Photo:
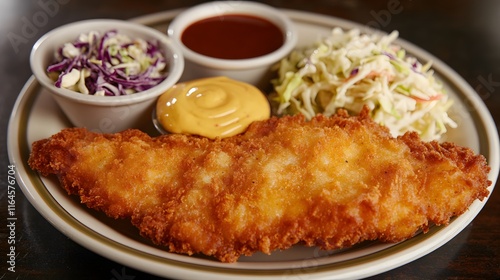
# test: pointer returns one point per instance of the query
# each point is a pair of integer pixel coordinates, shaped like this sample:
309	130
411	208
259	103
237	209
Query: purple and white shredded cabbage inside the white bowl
109	65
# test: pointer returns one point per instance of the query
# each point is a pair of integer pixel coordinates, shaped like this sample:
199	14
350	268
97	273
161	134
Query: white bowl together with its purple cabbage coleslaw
83	100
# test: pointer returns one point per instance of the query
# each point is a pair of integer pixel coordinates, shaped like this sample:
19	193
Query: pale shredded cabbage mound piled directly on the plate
349	70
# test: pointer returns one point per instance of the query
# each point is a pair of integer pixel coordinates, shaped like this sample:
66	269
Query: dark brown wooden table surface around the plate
463	34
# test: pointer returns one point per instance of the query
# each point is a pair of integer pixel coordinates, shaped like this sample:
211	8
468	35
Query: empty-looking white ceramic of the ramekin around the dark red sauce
253	70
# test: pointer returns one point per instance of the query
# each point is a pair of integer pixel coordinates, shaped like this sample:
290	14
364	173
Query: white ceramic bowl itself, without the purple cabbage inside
106	114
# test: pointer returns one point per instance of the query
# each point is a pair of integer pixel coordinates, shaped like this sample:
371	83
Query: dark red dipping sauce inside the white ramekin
233	36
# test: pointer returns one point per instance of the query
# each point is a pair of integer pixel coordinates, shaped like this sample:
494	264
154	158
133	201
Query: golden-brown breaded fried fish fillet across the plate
329	182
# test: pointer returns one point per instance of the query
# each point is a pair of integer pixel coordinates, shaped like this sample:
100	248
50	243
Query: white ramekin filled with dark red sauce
237	39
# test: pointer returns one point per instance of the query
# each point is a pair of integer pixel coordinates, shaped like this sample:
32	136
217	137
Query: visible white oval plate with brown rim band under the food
36	116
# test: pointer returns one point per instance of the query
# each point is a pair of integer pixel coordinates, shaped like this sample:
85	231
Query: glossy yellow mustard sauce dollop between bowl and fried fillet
211	107
